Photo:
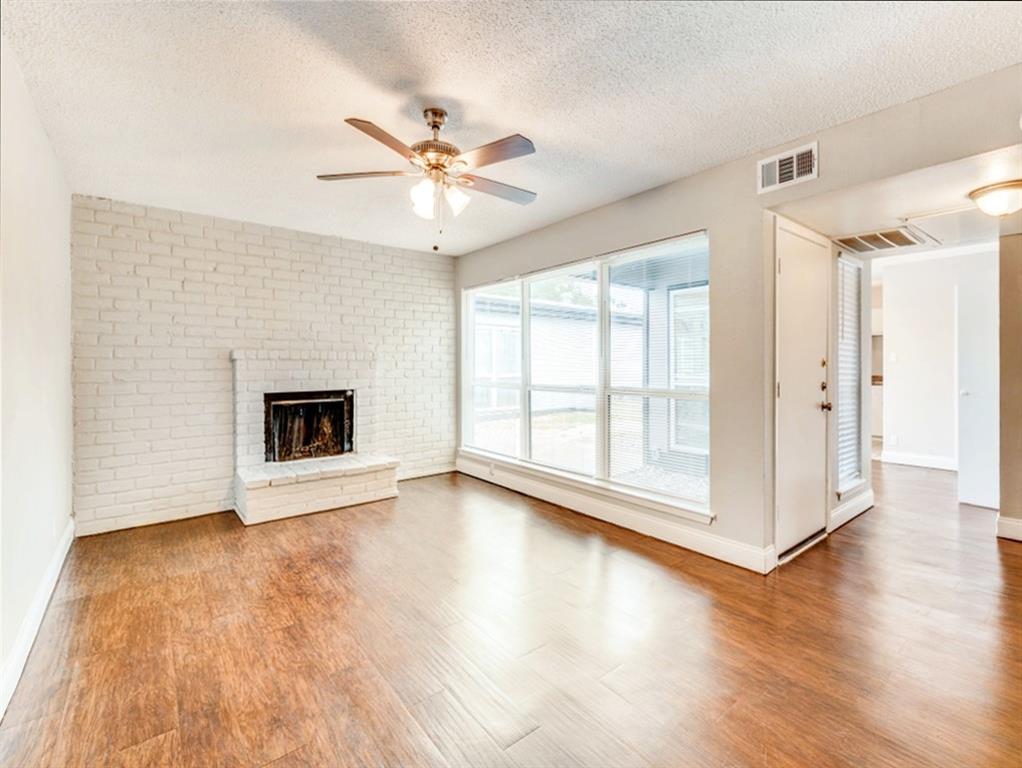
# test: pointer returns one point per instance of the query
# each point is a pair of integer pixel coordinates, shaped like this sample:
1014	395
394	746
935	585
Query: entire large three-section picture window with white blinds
600	370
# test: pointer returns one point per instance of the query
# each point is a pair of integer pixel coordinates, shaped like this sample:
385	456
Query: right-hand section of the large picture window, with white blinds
659	399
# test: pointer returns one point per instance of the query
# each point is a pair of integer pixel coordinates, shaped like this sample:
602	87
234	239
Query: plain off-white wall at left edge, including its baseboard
35	381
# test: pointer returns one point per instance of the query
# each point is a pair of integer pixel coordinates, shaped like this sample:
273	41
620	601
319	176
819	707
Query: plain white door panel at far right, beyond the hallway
979	382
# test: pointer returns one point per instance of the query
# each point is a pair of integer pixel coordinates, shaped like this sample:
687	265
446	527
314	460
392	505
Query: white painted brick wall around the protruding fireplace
162	297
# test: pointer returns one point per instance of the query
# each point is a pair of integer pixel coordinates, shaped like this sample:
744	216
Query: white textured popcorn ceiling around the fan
231	109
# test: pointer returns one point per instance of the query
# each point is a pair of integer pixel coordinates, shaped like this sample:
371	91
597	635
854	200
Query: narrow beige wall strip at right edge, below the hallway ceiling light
1011	375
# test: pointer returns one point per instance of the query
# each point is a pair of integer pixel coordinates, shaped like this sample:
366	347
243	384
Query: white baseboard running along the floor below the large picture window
631	516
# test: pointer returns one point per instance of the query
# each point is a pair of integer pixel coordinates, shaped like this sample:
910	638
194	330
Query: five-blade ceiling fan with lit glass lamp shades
444	168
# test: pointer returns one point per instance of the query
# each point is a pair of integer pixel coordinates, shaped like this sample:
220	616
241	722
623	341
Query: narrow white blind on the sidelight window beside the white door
850	403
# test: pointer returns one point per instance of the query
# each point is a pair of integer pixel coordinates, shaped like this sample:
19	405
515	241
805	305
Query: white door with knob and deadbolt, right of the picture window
803	296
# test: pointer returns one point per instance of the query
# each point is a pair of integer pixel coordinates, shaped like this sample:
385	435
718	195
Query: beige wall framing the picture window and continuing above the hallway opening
972	118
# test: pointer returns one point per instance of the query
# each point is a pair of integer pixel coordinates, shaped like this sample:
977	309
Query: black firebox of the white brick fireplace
309	425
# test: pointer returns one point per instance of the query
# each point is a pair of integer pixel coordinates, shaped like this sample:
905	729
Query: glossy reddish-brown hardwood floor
466	625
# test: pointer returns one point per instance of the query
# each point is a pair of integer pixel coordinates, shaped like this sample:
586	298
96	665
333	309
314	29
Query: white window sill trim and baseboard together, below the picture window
635	513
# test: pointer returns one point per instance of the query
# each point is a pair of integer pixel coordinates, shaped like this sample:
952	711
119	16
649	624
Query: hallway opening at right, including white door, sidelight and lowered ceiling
910	382
